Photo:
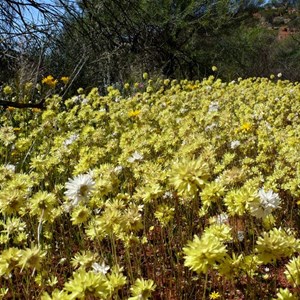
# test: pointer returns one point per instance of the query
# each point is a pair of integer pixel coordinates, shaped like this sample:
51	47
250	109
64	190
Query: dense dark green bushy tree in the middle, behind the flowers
120	39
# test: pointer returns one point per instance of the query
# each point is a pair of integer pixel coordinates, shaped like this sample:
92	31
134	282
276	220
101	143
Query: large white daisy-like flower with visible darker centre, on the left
79	188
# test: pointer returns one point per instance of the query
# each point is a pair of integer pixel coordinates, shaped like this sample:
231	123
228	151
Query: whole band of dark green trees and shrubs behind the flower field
99	42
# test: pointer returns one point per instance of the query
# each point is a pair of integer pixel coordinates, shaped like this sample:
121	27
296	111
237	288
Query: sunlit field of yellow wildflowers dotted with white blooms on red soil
163	189
